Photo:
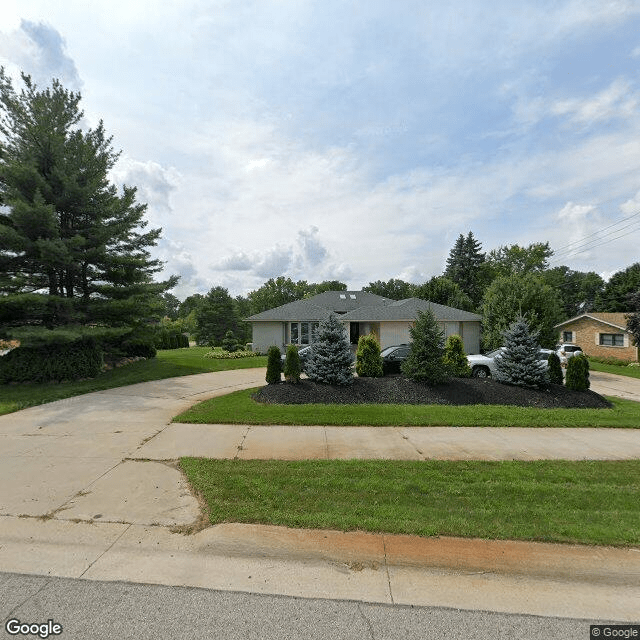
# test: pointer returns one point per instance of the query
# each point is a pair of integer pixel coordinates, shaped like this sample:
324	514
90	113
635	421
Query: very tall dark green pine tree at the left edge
64	228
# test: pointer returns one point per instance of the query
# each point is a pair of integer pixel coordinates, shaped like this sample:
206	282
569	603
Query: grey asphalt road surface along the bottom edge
104	610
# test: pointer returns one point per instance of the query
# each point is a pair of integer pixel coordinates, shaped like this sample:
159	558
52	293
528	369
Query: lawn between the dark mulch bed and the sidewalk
239	408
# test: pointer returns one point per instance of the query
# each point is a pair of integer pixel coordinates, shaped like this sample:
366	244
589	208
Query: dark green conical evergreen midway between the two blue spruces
425	363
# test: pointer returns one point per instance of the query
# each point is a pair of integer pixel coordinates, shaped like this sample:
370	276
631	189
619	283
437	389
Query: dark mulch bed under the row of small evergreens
459	391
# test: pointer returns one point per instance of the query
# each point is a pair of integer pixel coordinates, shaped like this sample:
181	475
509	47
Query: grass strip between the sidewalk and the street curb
591	502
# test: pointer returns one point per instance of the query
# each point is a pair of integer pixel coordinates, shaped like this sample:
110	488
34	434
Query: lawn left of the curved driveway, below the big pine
168	364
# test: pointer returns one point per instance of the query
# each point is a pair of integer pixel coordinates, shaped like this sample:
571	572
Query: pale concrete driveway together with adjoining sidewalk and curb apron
89	488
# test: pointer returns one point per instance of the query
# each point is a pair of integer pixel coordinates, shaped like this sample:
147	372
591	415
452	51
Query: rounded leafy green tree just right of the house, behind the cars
508	297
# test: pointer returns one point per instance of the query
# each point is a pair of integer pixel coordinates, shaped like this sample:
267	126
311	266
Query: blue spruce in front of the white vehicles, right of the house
519	364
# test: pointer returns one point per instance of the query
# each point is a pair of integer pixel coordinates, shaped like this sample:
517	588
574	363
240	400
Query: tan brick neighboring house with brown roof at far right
602	335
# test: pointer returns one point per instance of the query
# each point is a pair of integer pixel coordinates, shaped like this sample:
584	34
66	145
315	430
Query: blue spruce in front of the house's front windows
330	360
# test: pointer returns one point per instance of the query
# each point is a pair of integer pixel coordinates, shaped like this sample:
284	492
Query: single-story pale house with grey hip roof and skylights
362	313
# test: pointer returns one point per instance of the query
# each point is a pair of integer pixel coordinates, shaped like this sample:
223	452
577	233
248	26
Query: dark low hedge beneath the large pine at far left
60	359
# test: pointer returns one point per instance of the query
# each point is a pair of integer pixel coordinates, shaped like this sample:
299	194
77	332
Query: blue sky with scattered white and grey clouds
355	140
